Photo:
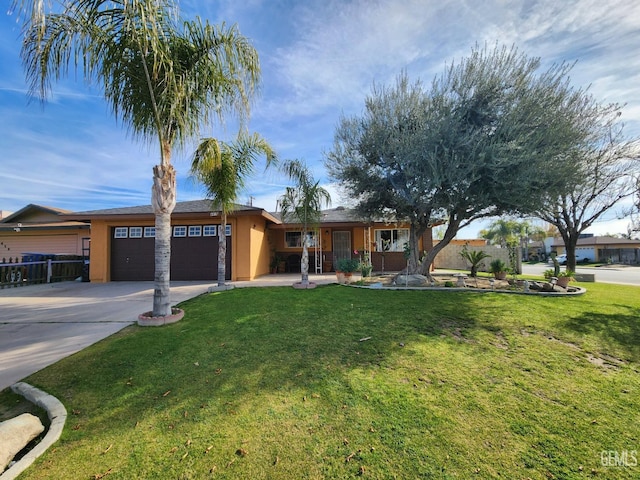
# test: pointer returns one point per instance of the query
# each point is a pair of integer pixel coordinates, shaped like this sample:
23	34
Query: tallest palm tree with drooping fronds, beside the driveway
163	79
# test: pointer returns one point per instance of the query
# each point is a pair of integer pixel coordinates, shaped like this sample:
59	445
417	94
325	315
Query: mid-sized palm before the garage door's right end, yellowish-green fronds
222	168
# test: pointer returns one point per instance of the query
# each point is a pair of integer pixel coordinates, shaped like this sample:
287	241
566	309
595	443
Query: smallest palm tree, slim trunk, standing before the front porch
303	204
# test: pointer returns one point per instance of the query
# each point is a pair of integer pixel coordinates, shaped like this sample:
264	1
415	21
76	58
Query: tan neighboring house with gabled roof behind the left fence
39	229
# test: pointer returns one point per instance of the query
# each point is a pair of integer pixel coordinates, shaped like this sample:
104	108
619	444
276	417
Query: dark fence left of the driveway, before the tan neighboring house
16	272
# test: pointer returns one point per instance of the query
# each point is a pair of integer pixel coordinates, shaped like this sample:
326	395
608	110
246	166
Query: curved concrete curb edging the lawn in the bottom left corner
57	415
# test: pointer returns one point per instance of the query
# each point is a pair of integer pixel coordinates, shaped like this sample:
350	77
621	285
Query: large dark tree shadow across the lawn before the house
235	345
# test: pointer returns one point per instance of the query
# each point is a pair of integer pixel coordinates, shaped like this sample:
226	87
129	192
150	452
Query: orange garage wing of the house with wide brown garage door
122	242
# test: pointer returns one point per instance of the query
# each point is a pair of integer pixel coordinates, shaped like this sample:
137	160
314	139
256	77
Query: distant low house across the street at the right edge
603	249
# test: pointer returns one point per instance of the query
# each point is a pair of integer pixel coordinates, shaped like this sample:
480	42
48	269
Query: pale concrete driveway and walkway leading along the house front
41	324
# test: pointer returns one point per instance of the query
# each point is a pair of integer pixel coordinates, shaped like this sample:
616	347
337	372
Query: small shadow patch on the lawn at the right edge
620	332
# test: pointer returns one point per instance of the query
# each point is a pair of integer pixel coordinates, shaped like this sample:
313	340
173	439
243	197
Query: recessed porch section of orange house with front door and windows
340	234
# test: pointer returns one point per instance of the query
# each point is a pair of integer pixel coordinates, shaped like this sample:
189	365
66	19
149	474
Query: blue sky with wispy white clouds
319	60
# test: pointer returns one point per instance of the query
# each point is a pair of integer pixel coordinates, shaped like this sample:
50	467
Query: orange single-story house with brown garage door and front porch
122	242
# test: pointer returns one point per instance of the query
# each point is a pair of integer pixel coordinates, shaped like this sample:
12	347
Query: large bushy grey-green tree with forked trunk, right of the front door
489	136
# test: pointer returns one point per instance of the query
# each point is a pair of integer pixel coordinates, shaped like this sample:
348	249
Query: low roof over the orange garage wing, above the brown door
182	209
